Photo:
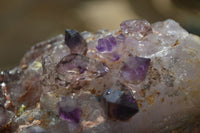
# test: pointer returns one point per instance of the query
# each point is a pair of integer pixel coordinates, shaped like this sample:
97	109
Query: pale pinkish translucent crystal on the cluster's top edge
138	28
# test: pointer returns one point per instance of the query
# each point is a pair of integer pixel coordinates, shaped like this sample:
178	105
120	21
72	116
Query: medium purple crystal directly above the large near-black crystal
135	70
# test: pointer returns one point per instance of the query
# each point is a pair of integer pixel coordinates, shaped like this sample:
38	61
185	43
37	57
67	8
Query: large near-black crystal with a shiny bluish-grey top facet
120	105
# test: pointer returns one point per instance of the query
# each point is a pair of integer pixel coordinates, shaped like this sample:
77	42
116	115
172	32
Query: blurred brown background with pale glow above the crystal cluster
26	22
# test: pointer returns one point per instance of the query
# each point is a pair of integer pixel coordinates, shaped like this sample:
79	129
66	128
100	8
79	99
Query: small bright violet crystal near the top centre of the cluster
106	44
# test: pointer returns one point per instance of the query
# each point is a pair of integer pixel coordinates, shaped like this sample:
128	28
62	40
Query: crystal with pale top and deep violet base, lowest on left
69	111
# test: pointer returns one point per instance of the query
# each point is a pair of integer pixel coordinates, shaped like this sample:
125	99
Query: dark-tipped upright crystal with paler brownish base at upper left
75	42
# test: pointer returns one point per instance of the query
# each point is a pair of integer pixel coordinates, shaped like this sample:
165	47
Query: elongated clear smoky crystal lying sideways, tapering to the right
76	67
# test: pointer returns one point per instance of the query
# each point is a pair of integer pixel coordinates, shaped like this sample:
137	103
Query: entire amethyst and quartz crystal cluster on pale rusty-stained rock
142	78
